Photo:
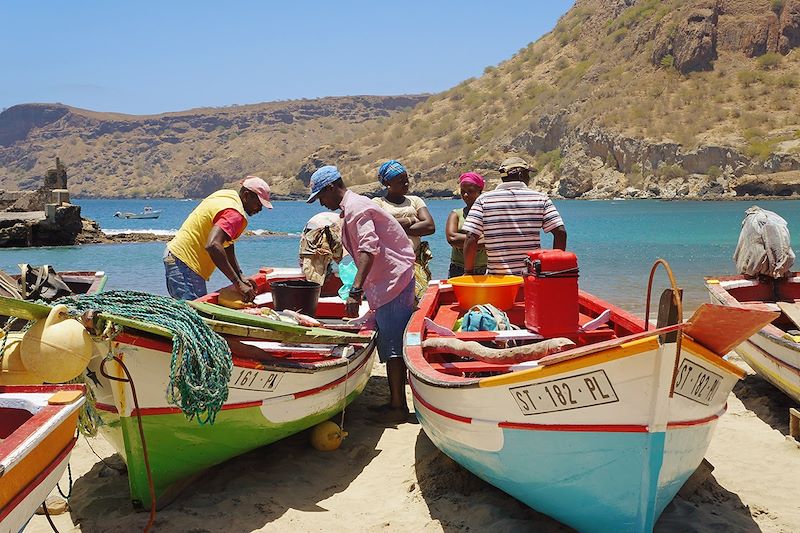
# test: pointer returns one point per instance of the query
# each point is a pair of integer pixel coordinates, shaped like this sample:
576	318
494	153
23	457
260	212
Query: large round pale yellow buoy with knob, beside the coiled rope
58	348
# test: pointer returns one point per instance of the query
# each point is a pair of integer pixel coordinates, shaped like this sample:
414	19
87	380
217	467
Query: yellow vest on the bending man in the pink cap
189	244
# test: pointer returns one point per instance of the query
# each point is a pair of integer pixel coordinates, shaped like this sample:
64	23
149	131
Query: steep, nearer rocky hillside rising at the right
624	98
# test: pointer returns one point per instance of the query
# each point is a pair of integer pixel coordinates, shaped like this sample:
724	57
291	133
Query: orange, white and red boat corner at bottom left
37	435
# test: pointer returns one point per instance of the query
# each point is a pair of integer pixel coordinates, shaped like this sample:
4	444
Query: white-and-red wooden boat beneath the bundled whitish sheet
774	351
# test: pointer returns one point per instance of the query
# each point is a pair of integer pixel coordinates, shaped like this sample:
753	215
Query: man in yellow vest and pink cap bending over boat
205	241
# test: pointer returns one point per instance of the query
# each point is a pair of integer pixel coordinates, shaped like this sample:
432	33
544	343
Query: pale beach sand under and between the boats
394	479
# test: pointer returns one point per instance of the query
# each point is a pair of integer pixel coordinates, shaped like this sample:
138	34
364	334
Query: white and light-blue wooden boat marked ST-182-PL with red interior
600	436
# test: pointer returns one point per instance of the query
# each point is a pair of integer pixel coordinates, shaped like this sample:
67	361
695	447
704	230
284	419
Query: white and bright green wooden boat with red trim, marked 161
285	378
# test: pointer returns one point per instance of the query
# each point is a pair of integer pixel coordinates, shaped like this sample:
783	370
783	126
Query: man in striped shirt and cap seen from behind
510	219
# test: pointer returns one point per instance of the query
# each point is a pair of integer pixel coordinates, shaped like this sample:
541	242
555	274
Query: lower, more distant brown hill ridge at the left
184	154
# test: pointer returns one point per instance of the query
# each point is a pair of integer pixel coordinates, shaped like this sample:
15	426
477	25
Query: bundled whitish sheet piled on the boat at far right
764	245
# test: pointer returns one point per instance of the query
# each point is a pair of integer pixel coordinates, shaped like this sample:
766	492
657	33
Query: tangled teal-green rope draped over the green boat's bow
201	362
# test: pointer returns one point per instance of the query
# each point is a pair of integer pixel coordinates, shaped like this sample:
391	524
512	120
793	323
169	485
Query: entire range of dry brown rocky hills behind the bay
623	98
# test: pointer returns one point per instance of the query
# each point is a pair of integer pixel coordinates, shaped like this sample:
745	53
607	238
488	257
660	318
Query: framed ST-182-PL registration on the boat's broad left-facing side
573	392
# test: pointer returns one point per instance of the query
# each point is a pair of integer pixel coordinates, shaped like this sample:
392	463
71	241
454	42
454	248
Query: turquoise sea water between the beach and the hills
616	243
